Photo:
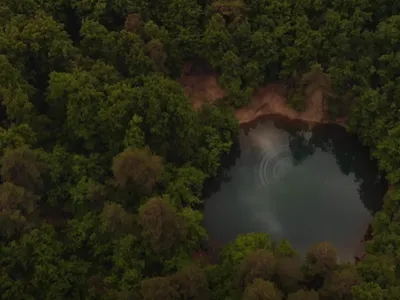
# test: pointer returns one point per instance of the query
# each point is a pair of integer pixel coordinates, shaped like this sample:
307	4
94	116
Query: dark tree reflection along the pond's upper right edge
351	156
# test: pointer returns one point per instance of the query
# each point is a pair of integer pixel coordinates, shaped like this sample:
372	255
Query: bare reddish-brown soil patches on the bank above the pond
204	88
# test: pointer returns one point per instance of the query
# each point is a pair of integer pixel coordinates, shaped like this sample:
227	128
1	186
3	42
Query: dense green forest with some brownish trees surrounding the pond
104	160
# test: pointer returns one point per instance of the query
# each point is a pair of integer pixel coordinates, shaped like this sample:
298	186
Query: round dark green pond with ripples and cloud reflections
296	184
